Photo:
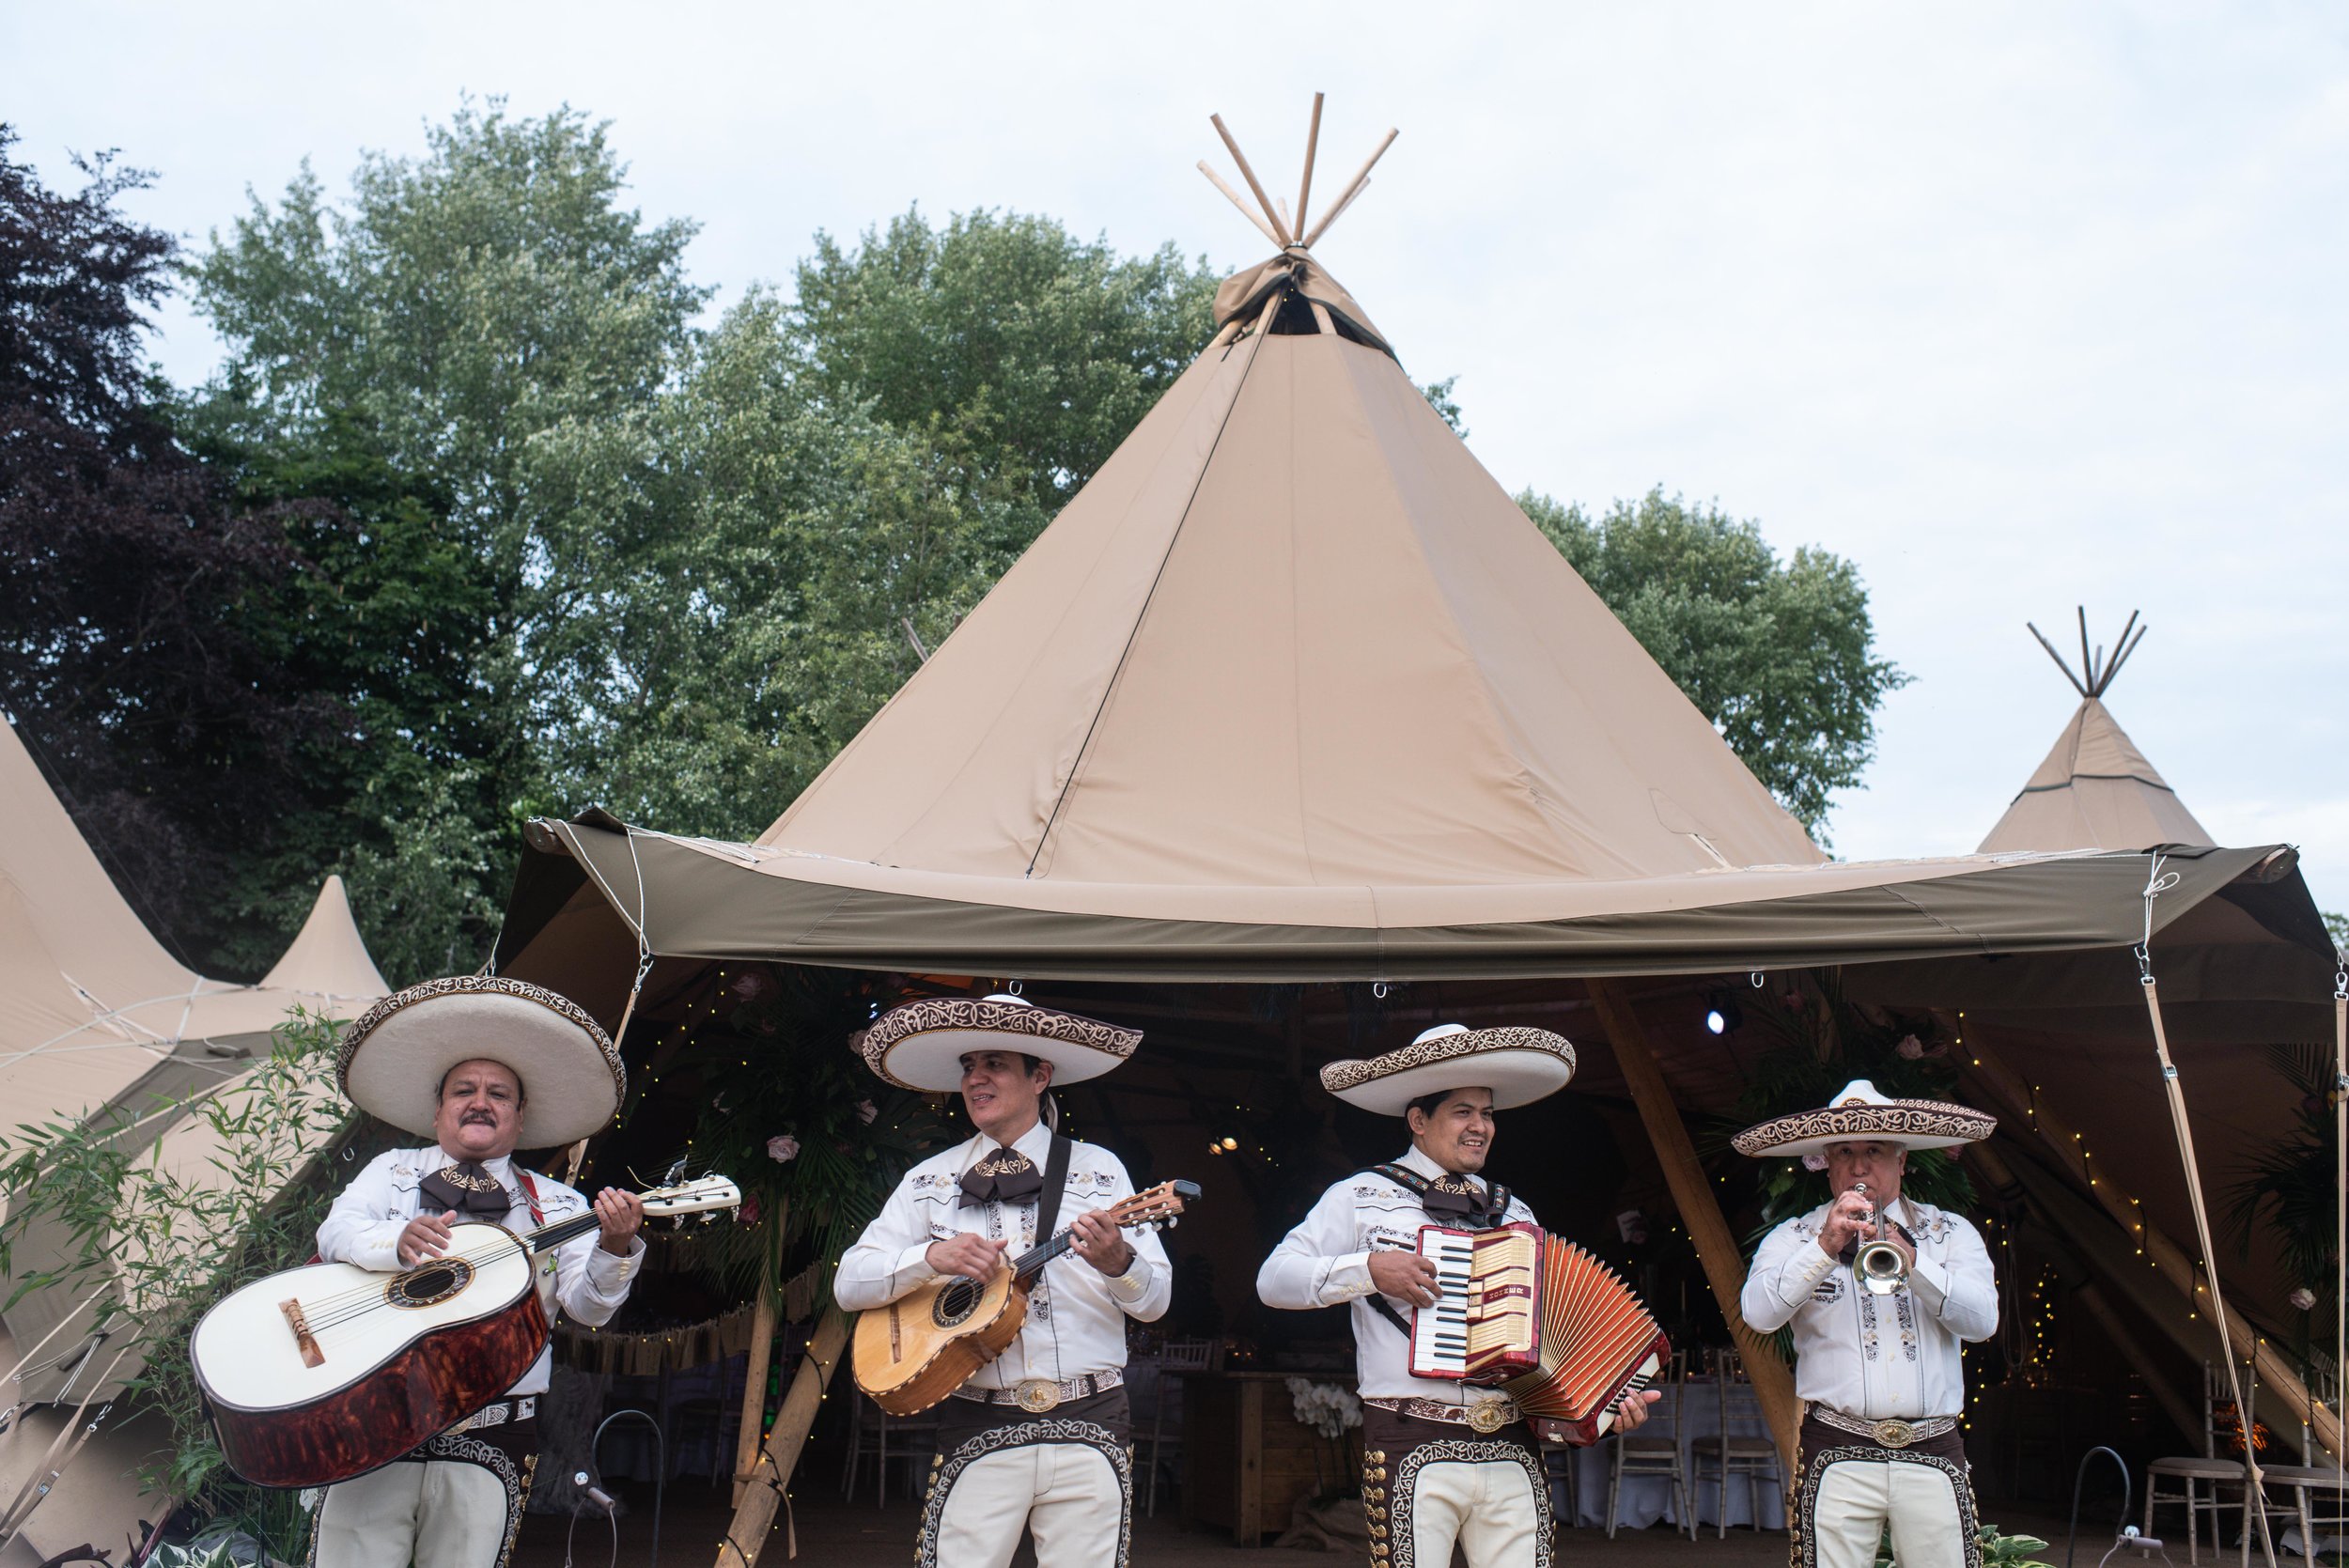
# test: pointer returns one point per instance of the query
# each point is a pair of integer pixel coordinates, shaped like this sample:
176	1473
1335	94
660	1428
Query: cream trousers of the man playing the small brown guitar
1070	1496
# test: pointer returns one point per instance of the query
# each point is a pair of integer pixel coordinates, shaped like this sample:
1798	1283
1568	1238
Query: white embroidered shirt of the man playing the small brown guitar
1077	1313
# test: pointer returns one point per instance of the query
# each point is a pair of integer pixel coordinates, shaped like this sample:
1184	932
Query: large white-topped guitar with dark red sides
328	1372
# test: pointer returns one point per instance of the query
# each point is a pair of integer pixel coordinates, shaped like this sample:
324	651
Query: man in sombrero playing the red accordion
1443	1461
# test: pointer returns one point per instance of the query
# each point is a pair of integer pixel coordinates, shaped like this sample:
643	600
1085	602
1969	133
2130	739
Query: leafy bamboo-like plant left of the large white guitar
159	1212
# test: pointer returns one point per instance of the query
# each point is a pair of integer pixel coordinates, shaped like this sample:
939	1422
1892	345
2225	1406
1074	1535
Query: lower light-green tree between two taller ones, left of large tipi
743	576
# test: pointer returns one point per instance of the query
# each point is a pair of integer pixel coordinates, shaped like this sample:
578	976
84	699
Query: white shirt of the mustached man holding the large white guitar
368	1219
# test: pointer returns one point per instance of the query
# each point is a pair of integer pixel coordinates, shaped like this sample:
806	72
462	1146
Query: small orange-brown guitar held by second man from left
927	1344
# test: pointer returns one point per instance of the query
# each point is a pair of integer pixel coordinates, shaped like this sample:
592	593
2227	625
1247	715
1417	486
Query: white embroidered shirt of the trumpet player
1878	1356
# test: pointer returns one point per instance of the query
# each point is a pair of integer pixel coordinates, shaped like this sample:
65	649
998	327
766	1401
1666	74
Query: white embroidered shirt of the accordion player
1326	1262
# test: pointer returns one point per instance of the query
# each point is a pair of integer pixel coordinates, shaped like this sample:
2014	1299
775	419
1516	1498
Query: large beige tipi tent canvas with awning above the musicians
1293	691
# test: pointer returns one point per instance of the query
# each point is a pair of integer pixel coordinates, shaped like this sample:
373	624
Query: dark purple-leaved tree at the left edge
126	579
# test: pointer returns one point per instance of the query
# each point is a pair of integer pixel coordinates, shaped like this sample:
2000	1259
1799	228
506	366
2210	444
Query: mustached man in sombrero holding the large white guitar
476	1065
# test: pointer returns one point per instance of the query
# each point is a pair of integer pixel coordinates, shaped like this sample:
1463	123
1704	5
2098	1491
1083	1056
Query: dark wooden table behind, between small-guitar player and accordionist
1246	1461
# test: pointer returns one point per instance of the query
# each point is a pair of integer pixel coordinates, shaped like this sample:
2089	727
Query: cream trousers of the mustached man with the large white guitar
438	1515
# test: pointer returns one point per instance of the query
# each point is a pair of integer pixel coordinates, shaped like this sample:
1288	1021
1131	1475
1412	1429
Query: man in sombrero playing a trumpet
1876	1365
